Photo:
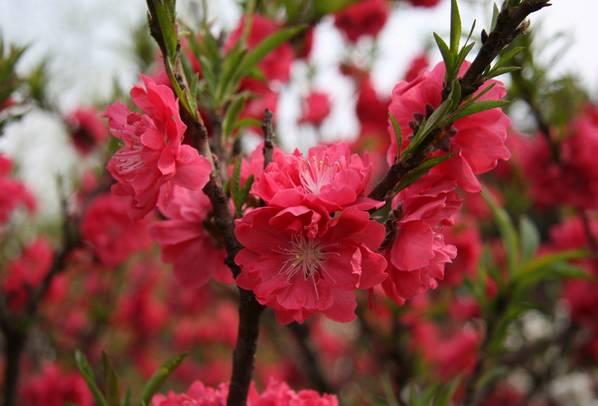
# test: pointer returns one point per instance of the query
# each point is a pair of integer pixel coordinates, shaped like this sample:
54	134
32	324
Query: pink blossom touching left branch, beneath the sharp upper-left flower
183	238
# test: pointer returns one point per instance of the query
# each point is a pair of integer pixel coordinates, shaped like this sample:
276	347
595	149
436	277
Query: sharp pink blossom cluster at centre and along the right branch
297	260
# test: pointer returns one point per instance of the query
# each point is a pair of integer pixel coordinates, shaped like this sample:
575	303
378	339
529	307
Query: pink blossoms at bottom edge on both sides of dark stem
276	393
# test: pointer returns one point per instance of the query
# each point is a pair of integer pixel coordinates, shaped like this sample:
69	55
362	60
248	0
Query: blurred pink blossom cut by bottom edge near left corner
55	387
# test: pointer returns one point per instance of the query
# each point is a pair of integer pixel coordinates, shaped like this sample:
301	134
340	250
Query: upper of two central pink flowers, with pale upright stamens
330	177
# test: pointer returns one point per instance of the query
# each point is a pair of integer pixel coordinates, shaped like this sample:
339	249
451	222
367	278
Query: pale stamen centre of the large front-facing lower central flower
303	255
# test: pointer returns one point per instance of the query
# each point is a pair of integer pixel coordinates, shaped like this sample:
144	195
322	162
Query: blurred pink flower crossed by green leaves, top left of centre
277	65
